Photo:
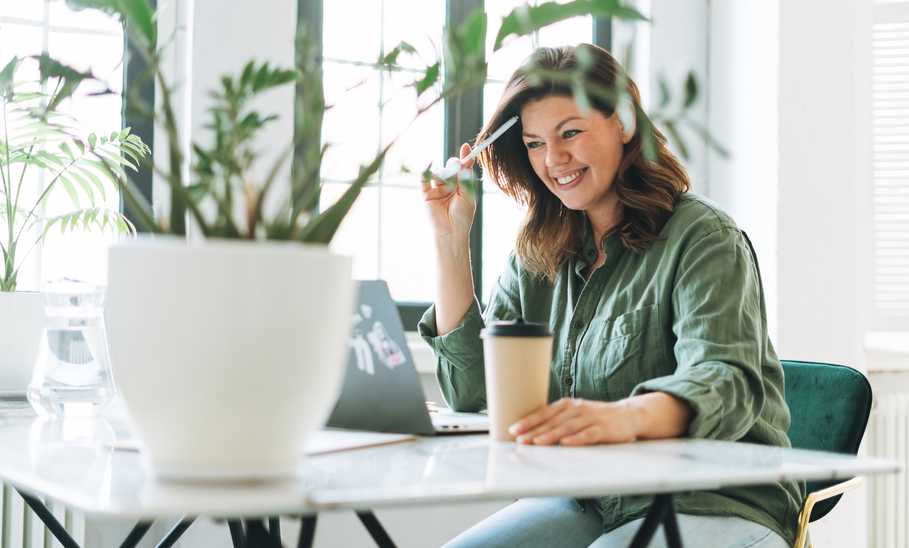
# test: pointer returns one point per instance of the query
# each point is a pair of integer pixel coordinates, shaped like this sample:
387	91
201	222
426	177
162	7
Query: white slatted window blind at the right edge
890	165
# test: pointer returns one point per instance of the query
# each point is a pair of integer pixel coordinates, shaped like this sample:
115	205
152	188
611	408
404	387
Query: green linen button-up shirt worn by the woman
684	317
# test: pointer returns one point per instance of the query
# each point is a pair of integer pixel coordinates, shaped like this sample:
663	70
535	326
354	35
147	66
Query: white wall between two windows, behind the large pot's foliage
207	39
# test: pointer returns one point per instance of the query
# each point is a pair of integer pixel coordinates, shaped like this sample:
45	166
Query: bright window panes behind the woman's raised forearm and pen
388	233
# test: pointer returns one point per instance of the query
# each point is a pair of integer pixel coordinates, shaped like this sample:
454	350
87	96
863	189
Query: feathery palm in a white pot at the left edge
36	138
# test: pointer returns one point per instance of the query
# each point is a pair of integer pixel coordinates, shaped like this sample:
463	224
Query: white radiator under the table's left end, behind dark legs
21	528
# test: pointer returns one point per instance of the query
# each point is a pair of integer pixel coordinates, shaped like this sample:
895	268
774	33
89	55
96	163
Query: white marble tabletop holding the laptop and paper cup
74	462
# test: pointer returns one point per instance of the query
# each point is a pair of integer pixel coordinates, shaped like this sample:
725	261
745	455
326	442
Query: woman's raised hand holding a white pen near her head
451	208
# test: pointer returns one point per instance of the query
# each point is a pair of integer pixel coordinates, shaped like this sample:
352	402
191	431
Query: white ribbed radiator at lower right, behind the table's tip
888	505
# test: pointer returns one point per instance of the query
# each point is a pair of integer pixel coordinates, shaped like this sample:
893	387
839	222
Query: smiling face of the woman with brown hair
575	155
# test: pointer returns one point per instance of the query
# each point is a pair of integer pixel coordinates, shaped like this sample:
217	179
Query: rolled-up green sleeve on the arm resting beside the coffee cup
719	328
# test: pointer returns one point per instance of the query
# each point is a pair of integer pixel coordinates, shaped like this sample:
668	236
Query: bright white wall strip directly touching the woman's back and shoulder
742	115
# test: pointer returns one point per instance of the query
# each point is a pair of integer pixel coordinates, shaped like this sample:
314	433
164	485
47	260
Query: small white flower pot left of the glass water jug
21	322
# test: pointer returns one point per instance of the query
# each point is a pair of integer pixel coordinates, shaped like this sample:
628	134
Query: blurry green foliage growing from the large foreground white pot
224	199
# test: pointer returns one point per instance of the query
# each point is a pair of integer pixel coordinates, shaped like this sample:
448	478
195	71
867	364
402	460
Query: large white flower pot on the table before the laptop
228	354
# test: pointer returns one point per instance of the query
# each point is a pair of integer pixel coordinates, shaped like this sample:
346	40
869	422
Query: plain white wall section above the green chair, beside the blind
823	194
